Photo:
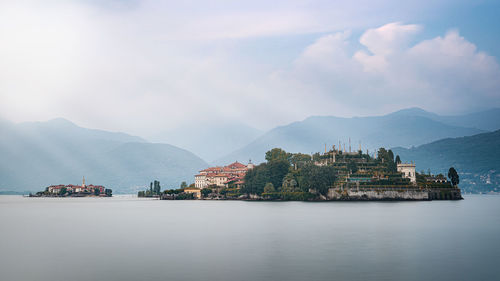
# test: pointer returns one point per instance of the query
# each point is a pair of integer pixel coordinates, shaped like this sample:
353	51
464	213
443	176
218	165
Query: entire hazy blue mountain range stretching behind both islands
37	154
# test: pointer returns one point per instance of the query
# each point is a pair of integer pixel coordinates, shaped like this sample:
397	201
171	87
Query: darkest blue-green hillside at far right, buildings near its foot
476	158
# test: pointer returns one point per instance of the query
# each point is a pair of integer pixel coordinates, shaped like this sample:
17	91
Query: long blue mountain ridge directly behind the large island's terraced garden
404	128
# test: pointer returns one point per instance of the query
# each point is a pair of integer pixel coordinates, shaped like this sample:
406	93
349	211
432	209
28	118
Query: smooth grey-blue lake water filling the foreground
126	238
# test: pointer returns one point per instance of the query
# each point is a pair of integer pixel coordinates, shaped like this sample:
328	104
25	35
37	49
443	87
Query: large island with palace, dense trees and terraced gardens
338	174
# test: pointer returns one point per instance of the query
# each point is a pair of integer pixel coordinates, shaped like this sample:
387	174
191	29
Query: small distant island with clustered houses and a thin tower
71	190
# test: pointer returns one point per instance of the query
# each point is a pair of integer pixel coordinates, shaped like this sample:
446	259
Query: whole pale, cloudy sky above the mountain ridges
146	66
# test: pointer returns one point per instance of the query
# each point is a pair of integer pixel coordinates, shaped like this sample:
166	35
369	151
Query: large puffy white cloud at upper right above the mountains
445	74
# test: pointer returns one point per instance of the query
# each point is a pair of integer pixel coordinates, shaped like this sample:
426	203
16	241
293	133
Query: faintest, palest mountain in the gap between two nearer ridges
210	139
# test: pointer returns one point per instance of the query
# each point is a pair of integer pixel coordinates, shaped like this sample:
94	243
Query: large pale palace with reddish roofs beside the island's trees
222	176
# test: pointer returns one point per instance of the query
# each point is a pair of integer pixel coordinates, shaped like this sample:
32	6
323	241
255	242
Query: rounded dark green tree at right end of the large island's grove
315	177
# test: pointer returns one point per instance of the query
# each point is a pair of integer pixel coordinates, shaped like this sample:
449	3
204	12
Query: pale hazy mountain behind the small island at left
37	154
